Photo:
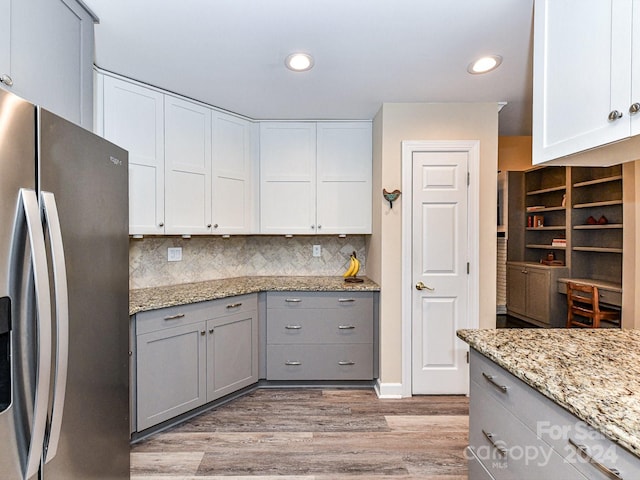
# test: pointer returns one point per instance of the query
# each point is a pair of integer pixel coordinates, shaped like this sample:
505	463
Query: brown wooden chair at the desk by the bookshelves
583	307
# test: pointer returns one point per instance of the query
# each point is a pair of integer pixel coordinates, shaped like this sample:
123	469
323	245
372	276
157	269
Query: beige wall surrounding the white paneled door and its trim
394	123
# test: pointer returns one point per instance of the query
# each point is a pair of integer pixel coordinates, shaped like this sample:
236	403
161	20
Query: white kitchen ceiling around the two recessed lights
230	53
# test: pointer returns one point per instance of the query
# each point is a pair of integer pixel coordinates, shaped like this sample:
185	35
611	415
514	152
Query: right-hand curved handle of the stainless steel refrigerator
62	321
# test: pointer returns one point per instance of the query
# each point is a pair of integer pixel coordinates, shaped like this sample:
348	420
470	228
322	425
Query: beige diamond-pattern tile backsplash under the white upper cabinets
210	258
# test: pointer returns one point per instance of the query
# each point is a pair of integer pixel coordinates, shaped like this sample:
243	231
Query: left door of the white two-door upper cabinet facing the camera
288	178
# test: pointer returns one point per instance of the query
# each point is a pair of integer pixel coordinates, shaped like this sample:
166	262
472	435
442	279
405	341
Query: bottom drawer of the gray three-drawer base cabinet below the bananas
320	362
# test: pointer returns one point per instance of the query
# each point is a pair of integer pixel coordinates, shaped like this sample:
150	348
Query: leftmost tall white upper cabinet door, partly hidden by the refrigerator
134	119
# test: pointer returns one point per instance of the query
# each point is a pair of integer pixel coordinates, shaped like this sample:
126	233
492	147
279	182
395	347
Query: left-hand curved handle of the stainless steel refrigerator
29	205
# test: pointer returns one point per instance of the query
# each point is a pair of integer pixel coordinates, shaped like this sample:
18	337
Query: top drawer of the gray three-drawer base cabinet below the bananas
302	300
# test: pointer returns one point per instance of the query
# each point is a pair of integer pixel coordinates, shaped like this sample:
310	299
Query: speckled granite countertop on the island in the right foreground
594	374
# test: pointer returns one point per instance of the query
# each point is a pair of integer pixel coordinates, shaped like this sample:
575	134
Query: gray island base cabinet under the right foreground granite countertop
517	433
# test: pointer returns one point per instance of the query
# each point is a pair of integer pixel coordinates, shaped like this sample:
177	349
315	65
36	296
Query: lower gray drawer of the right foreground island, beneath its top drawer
507	448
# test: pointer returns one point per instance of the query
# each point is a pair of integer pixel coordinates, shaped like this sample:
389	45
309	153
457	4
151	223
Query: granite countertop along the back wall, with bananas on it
143	299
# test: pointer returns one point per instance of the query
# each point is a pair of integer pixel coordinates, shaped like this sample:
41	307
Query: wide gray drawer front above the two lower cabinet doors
171	317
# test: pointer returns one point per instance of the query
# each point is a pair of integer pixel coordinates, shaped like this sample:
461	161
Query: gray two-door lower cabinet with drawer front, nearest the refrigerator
192	354
